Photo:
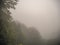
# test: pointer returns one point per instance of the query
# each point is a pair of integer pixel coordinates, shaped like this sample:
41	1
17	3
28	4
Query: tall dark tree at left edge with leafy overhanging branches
5	19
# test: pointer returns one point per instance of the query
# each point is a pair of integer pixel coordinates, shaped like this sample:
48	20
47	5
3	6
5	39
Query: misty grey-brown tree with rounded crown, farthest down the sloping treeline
35	37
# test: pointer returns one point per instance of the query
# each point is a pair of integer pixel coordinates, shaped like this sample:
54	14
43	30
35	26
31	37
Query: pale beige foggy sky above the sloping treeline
41	14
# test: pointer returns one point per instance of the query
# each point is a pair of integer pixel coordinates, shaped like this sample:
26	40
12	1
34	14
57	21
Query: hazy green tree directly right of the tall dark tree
16	33
